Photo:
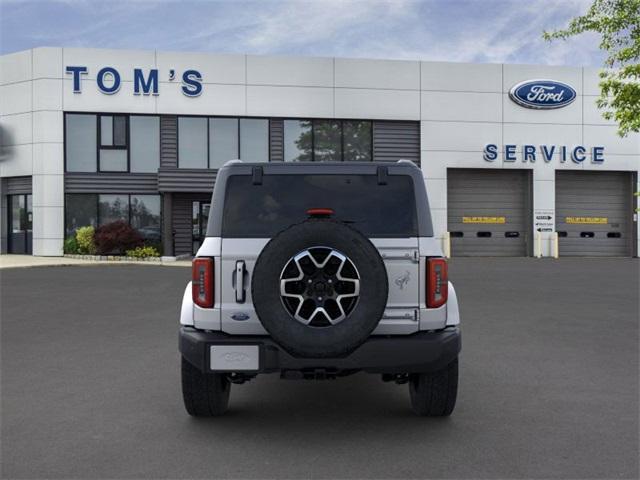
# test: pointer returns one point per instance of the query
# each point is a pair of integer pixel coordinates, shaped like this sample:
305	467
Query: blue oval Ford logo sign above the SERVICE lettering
542	94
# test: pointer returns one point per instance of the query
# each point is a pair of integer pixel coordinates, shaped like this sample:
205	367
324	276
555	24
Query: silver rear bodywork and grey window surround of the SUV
405	260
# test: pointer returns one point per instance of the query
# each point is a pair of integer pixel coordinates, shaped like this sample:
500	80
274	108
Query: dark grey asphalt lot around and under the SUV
549	385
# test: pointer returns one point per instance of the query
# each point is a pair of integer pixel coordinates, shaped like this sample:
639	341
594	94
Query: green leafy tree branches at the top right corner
618	23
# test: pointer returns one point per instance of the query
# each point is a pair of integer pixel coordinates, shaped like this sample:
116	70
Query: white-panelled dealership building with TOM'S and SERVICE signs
517	159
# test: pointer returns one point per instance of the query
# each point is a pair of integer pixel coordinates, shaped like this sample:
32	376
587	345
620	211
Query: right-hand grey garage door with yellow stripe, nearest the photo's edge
594	213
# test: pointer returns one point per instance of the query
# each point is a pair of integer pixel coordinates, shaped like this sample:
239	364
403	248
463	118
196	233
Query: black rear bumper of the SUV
420	352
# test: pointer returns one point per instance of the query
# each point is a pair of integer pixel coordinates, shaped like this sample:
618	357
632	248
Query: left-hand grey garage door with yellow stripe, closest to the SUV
488	212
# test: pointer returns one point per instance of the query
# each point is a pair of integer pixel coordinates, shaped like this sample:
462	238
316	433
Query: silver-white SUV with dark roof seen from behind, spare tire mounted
319	270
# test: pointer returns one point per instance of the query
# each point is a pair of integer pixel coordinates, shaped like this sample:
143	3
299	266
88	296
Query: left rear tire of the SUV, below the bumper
204	394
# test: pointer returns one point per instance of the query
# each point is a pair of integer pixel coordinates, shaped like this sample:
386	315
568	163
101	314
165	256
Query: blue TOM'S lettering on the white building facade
108	80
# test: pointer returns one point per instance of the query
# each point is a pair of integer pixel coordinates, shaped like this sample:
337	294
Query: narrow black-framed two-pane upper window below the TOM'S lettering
113	143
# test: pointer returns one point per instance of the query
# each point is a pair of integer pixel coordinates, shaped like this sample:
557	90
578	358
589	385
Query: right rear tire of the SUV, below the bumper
434	394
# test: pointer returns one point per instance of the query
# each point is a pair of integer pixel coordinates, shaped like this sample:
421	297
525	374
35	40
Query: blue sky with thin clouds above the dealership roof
486	31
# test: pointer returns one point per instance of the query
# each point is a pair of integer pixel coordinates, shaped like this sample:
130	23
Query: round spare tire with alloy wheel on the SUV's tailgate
319	288
